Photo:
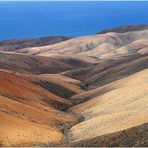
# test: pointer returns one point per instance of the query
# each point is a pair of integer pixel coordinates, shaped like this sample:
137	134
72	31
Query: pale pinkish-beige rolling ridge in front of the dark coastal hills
102	45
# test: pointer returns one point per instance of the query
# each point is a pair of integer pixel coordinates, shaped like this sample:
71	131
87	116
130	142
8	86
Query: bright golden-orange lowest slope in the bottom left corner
18	132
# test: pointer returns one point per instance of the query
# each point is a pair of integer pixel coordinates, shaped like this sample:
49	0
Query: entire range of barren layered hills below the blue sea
84	91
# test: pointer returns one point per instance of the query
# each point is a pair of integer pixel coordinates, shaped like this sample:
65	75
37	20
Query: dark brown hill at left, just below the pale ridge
41	65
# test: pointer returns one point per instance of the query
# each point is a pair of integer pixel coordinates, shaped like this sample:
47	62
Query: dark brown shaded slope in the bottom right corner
131	137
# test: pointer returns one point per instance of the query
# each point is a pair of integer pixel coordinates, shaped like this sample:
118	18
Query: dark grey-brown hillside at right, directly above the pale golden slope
109	70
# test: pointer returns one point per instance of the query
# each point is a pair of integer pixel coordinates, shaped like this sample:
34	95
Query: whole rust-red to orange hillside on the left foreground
30	114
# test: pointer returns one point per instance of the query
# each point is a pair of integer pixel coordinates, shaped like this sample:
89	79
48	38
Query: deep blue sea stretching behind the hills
38	19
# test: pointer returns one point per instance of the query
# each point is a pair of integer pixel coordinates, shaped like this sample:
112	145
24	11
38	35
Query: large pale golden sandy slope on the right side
123	107
